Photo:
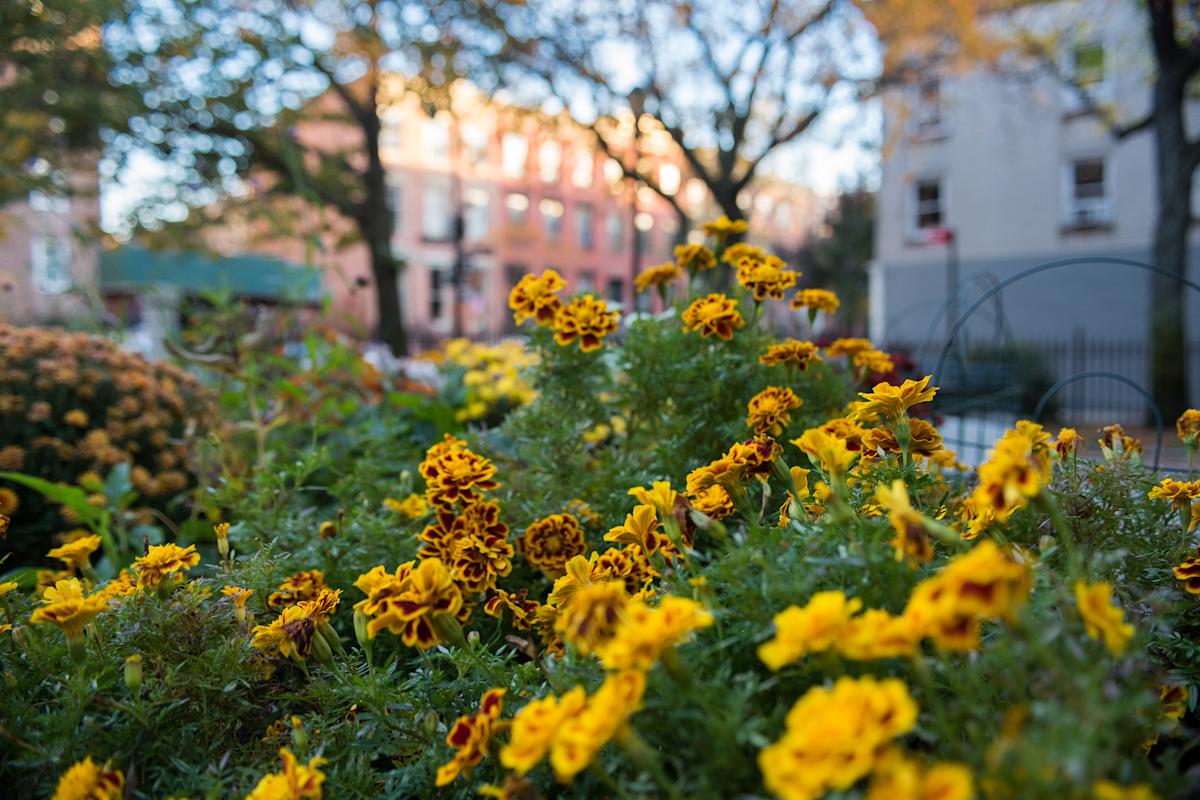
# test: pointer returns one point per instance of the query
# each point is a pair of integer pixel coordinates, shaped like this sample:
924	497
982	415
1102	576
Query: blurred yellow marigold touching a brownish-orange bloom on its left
645	634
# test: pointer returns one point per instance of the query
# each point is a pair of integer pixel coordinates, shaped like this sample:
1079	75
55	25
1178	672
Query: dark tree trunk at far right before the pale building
1169	364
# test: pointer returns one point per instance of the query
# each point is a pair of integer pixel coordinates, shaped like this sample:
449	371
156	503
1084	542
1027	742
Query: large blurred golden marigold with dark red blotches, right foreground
985	584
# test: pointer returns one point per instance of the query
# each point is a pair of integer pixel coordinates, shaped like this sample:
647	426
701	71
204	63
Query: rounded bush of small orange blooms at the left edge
75	407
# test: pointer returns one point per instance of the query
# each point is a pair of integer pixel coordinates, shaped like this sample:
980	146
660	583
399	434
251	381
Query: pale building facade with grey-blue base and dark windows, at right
986	177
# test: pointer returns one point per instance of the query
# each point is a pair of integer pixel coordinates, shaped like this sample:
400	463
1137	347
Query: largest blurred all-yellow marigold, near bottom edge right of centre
836	736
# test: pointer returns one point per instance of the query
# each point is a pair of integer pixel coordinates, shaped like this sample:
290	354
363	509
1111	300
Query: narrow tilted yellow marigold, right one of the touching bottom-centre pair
607	713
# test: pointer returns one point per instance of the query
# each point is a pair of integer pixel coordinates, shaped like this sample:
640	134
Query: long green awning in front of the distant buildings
134	269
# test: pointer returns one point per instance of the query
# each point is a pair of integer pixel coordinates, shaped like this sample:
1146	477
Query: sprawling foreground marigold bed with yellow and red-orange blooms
723	566
